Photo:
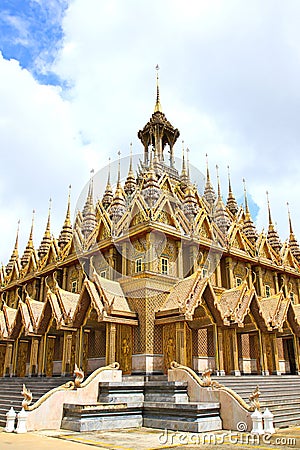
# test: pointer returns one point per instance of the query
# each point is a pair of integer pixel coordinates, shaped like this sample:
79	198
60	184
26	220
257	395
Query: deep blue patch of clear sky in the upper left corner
31	32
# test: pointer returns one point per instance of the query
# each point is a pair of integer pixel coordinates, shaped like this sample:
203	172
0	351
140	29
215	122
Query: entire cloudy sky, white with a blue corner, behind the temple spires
77	81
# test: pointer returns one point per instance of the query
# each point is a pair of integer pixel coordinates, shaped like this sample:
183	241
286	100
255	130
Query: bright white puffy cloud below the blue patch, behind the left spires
40	154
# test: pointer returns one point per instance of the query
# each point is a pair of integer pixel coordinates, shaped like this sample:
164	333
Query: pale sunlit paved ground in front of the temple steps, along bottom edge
147	439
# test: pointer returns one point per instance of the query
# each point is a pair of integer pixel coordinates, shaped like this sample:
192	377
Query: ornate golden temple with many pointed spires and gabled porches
154	271
